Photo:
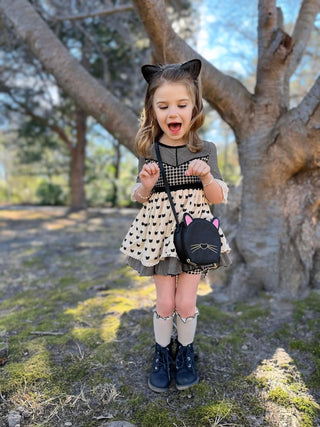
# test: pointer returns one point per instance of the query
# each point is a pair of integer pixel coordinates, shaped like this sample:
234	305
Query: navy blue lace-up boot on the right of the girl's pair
185	370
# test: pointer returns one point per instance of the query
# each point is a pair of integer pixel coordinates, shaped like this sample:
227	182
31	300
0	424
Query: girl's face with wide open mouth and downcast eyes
173	107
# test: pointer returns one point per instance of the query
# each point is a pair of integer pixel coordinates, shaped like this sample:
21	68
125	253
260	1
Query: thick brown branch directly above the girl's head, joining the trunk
224	93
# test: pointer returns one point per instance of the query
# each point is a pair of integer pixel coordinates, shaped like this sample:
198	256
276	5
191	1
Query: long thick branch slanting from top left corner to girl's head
84	89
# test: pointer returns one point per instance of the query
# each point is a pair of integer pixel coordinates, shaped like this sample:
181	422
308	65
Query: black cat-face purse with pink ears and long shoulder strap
197	240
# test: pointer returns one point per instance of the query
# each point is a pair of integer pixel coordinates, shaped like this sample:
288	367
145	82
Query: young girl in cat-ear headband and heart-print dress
173	112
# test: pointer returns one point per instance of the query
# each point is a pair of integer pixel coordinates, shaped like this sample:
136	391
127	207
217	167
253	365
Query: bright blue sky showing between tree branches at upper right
228	39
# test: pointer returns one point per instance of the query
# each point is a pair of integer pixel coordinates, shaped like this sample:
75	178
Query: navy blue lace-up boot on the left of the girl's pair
159	379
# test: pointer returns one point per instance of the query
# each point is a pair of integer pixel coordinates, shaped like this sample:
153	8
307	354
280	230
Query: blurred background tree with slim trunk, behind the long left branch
94	37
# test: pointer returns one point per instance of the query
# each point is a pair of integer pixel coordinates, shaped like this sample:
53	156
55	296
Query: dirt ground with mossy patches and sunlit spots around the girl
76	336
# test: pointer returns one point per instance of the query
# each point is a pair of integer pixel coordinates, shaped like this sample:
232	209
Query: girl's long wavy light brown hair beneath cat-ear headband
149	130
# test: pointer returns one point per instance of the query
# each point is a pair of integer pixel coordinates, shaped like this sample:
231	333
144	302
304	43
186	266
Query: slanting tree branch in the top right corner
304	26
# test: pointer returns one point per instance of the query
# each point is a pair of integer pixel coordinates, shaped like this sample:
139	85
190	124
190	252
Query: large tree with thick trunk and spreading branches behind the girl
277	239
